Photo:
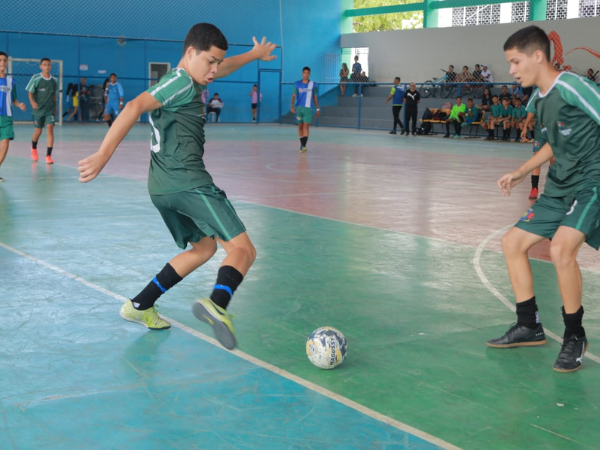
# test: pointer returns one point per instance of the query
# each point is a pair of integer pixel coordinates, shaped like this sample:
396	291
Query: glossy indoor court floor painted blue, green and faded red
393	240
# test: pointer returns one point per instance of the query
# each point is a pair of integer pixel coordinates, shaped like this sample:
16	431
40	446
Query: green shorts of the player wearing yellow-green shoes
197	213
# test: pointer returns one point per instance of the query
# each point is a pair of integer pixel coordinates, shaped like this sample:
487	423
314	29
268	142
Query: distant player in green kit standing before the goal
42	89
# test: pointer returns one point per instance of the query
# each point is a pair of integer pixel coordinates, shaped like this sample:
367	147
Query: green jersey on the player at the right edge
569	115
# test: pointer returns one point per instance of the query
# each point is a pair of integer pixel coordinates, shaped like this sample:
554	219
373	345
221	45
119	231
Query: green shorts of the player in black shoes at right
580	211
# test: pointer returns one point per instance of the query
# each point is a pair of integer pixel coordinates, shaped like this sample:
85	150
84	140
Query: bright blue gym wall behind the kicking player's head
310	31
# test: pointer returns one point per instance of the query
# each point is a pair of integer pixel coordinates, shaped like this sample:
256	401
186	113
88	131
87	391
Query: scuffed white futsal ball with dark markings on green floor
326	347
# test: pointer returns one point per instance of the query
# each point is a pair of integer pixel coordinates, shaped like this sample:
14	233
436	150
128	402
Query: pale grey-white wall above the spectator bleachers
418	55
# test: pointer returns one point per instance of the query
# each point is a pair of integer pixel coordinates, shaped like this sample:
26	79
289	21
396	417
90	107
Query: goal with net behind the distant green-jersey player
22	69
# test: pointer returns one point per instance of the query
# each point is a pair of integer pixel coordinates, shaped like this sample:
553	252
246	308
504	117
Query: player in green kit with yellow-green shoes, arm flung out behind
193	208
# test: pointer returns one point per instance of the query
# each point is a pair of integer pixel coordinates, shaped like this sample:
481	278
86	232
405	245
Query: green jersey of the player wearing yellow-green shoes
177	141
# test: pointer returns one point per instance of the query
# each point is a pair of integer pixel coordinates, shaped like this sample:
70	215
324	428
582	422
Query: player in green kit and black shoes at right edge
568	212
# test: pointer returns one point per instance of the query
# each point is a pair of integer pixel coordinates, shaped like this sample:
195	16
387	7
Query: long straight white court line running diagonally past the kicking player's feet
307	384
